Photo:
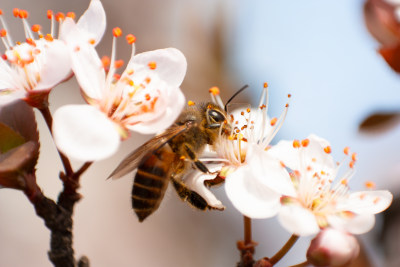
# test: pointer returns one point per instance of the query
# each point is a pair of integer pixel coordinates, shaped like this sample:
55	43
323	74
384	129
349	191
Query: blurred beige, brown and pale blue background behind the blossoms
319	51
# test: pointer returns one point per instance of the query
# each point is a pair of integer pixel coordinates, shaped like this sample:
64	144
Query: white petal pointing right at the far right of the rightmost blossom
370	202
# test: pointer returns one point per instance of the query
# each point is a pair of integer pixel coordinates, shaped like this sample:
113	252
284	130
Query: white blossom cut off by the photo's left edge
30	69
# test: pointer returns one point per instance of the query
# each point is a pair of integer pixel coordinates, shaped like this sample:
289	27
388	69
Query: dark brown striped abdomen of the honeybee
151	181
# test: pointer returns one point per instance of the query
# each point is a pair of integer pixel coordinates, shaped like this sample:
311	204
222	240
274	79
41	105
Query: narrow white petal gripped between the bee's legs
194	180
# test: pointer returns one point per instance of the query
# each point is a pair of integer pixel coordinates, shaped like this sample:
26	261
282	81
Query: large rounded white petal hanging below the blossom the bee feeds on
249	196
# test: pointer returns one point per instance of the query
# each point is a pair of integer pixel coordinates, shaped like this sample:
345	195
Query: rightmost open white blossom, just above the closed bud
318	202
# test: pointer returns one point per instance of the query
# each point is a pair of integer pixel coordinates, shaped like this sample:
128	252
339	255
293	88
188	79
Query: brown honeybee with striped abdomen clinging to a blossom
170	155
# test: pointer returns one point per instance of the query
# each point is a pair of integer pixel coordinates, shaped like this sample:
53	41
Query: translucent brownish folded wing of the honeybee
132	161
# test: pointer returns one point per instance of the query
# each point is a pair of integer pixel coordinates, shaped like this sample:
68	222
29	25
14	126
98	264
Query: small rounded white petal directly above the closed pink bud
298	220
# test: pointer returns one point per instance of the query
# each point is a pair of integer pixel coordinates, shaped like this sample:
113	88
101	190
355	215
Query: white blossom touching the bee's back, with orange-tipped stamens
146	97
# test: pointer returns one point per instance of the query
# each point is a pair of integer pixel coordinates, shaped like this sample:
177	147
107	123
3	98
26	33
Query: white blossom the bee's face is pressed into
250	164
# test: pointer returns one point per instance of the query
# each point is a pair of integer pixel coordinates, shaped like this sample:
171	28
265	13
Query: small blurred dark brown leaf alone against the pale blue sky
380	122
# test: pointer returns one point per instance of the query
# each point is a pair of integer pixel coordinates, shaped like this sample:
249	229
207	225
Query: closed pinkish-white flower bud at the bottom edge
333	248
